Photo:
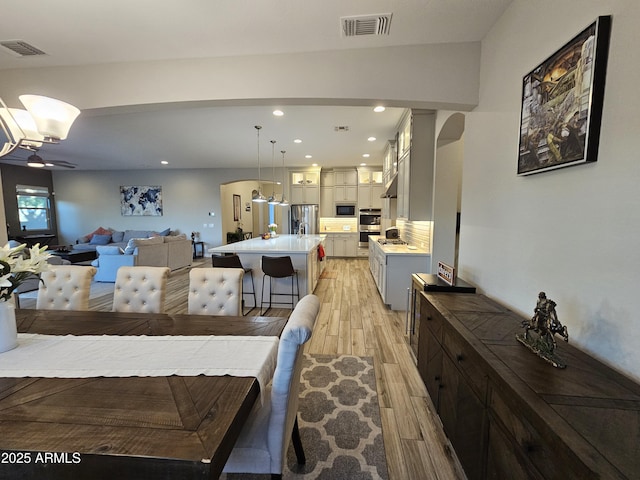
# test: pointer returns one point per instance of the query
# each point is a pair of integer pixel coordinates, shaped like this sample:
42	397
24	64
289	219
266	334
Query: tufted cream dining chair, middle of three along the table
140	289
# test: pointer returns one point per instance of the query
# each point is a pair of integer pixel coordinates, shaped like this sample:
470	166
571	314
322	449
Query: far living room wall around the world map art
86	200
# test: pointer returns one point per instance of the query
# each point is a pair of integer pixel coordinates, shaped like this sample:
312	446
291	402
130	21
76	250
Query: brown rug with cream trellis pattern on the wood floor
339	420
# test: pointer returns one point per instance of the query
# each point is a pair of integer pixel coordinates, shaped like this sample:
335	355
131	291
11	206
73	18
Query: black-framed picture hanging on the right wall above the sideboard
562	100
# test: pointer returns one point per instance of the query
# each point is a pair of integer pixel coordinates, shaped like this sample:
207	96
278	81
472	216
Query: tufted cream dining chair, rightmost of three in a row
215	291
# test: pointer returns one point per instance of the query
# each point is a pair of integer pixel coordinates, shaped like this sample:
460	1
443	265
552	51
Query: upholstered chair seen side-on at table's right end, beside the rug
263	441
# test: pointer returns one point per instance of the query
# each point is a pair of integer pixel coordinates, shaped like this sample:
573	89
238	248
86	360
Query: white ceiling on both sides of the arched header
77	32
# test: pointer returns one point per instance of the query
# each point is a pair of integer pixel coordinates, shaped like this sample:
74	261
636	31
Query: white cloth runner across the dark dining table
69	356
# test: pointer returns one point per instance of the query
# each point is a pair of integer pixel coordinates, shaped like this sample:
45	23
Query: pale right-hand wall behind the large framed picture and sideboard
573	233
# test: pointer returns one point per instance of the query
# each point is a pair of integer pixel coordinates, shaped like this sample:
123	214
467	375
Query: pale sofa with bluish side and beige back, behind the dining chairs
170	251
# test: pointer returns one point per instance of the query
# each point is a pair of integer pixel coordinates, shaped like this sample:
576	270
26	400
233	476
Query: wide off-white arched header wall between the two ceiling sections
422	76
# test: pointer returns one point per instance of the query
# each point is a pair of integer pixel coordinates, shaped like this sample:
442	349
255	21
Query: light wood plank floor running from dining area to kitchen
353	320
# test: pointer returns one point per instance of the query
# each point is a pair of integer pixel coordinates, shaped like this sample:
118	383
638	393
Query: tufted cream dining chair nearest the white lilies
65	287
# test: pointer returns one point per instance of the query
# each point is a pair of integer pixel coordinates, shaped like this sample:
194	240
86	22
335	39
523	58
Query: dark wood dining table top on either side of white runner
169	427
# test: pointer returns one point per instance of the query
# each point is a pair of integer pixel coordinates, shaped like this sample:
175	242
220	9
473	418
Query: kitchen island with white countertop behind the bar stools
303	251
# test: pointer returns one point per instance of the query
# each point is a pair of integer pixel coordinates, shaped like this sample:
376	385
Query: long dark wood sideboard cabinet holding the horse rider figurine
508	413
